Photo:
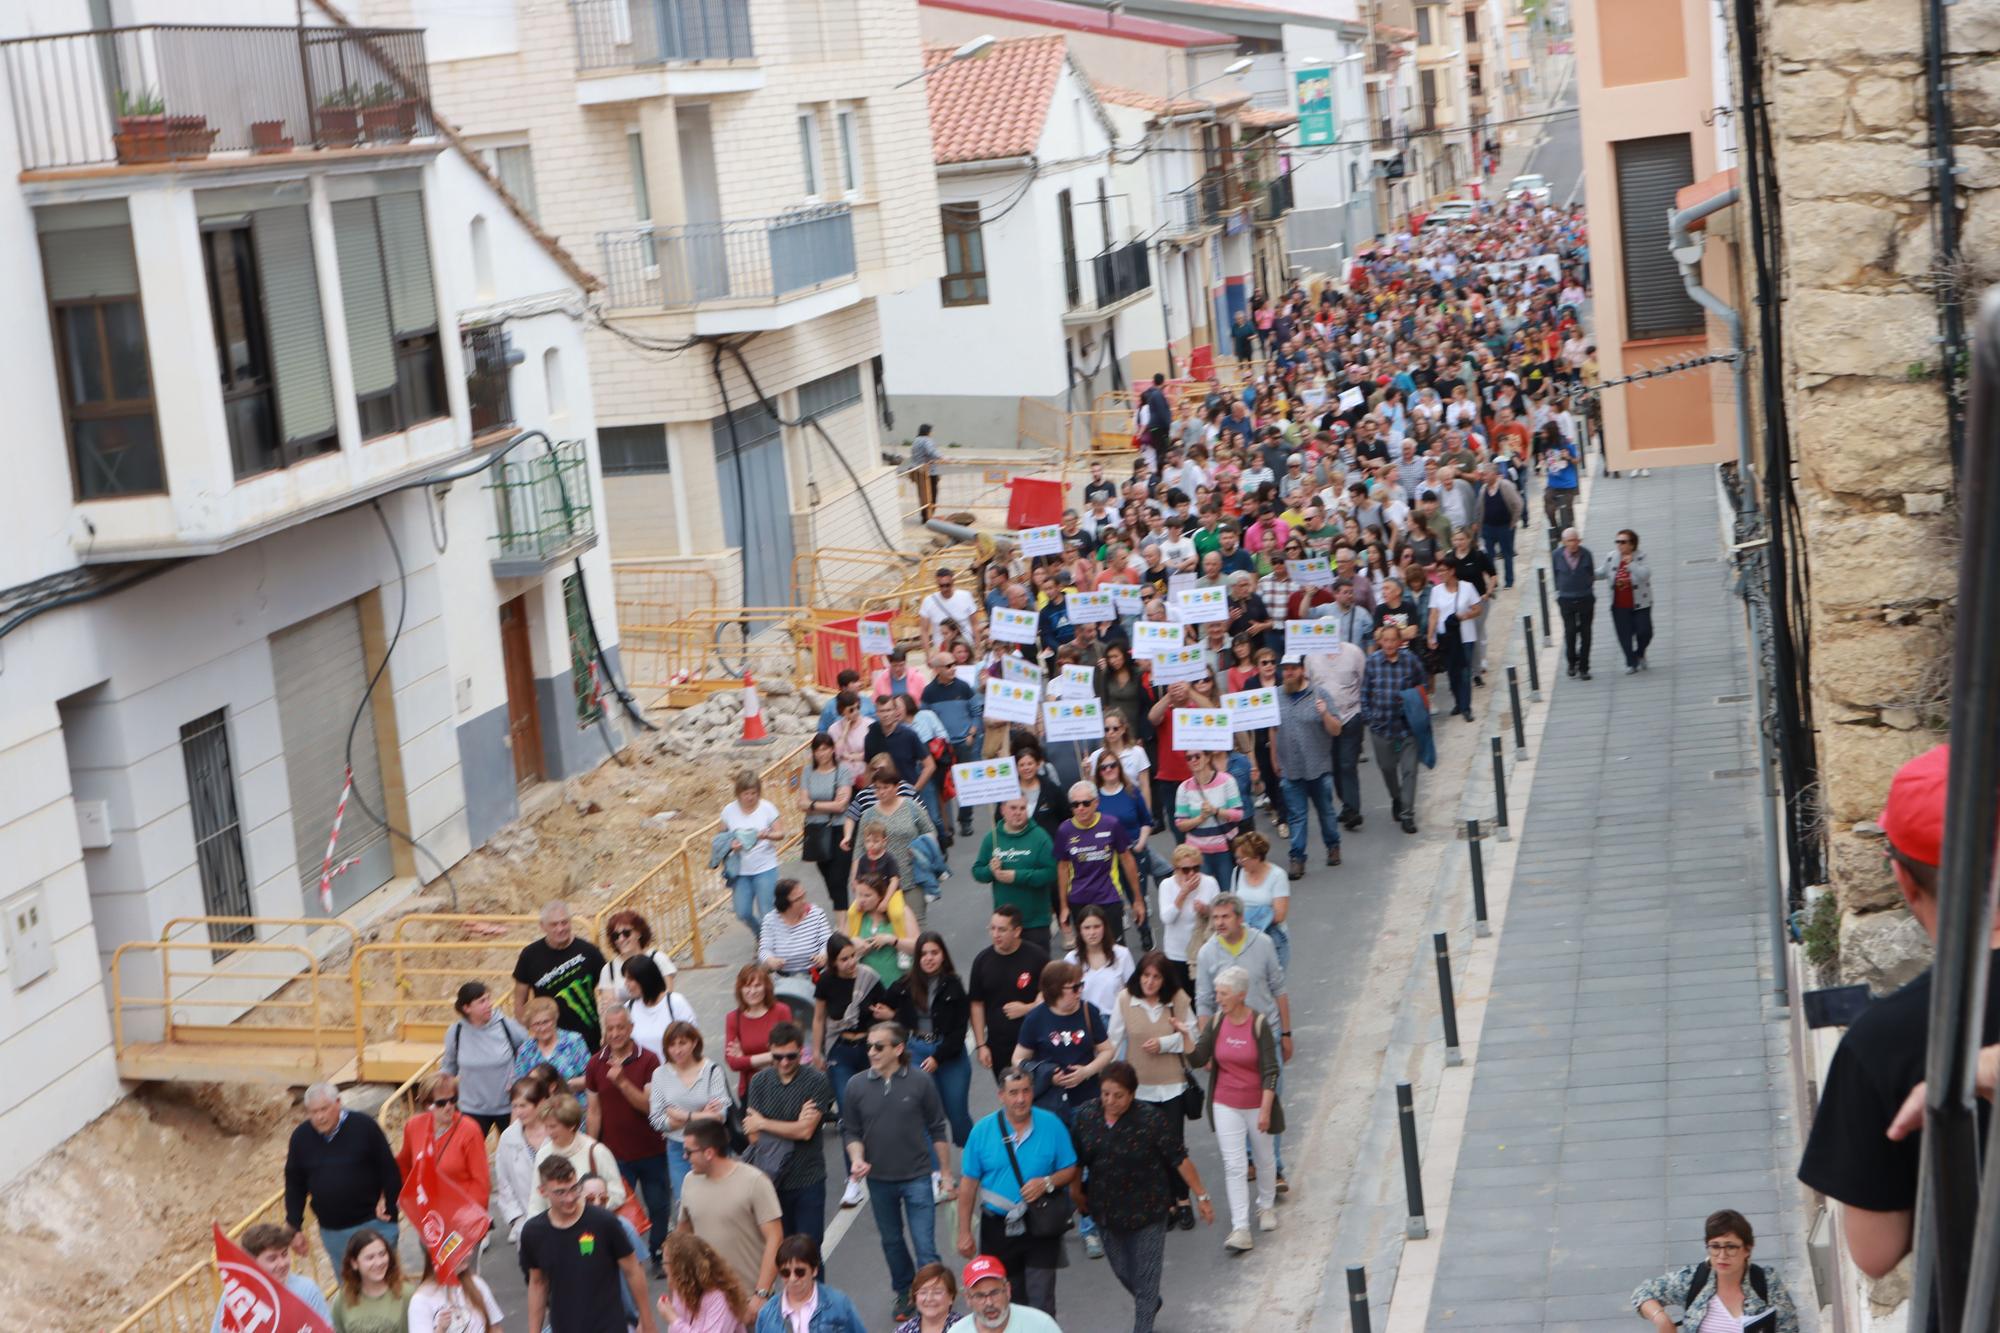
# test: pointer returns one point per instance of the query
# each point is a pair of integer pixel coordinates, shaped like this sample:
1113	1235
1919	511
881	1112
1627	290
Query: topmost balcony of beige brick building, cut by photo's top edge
639	49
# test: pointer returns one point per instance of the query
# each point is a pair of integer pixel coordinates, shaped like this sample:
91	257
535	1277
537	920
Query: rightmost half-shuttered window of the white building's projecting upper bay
393	311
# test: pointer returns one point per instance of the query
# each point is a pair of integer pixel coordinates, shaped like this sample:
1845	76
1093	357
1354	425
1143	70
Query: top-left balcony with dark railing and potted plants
187	95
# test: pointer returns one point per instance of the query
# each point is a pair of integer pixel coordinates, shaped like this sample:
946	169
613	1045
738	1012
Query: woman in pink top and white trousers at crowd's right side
1243	1104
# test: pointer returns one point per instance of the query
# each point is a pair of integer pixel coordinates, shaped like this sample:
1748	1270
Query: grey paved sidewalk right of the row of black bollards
1629	1074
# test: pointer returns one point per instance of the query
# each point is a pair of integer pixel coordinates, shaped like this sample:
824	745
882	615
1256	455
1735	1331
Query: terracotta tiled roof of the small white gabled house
993	107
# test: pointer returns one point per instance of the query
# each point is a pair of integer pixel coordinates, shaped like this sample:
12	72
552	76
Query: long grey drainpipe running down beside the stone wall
1687	251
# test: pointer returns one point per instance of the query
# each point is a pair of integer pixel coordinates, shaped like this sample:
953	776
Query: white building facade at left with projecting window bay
257	299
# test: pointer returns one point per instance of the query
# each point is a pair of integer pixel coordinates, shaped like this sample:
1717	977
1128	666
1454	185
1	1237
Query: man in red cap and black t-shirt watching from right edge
1863	1150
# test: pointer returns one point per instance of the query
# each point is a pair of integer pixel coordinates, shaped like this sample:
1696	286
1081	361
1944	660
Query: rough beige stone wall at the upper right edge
1867	403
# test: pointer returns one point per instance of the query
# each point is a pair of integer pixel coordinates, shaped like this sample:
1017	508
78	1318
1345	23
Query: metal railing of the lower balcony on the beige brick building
743	261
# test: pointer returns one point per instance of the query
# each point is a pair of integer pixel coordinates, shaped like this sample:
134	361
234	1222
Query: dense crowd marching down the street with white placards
657	1168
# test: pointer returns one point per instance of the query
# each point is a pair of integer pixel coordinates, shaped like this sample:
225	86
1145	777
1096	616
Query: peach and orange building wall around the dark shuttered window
1697	413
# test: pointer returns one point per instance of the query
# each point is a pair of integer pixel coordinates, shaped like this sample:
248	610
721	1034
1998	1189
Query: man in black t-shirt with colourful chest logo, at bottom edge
575	1258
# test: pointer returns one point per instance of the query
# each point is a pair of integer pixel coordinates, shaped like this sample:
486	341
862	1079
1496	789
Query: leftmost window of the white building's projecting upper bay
101	353
